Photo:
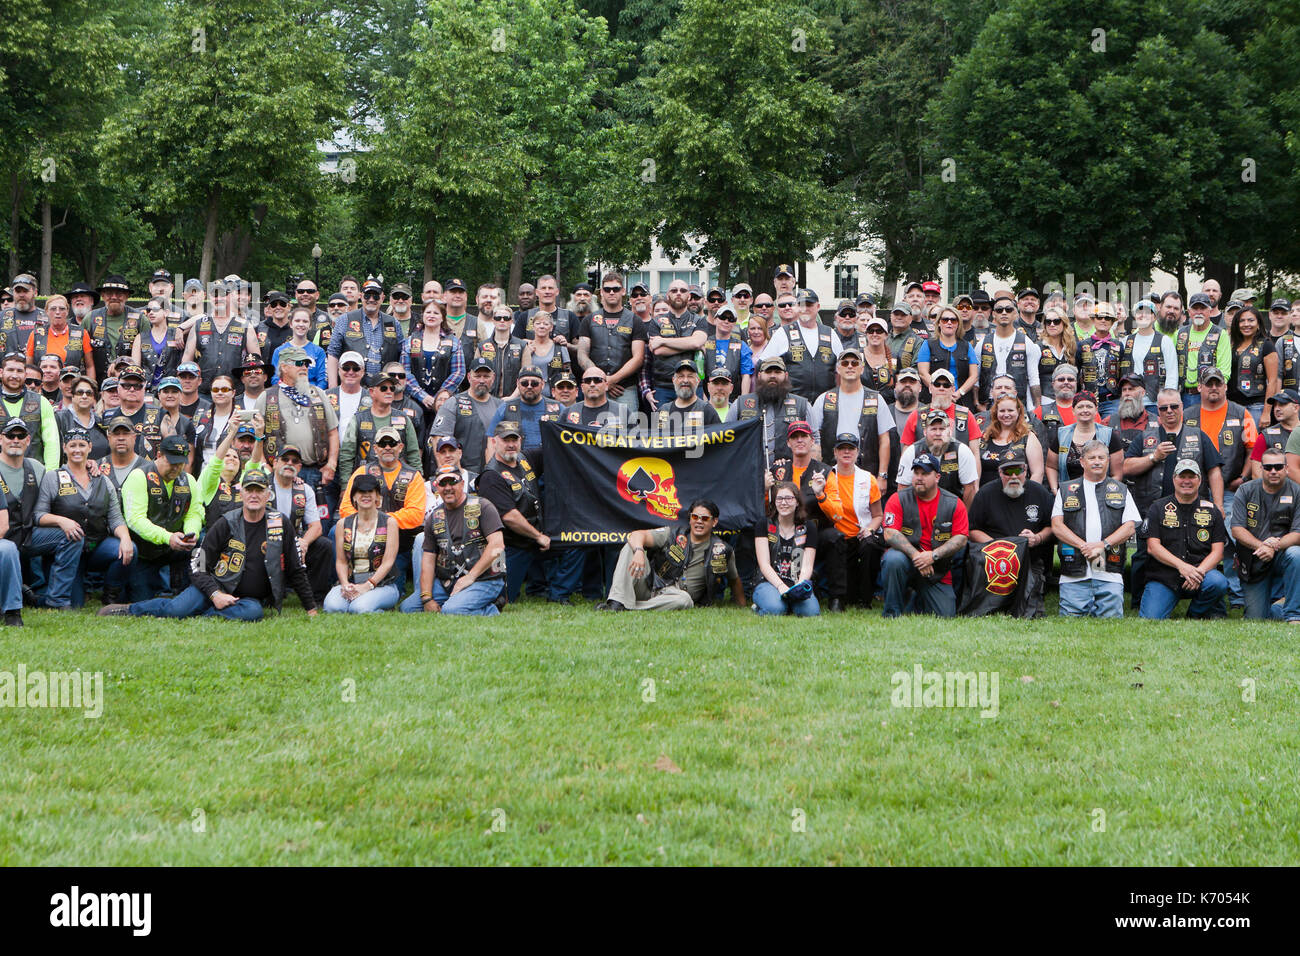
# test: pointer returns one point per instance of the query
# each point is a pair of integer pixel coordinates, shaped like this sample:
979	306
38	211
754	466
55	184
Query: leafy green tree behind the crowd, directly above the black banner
738	133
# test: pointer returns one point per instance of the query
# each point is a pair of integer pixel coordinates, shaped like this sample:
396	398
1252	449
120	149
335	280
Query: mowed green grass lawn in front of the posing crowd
536	739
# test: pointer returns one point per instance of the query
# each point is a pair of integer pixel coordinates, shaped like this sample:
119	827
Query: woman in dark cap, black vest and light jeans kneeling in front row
366	550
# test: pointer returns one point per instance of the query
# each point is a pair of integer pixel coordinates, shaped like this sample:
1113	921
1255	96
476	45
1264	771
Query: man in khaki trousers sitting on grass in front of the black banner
687	566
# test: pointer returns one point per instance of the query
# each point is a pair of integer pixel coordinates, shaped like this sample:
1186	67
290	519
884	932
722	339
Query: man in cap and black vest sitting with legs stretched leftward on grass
248	556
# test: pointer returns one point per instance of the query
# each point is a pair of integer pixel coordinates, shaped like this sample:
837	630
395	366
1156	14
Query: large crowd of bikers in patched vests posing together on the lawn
205	453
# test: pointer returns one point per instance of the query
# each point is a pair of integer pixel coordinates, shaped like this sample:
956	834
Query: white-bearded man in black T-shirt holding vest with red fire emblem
1015	507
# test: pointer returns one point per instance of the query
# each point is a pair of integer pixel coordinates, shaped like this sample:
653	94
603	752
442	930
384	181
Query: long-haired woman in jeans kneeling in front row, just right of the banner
786	546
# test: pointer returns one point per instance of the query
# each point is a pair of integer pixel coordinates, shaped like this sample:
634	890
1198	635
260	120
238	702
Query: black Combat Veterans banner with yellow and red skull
603	485
